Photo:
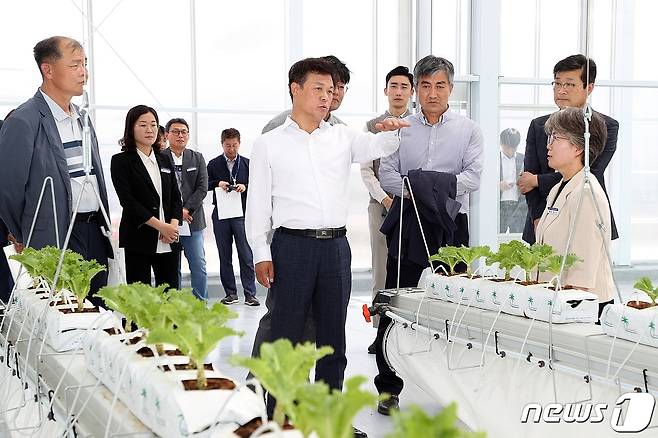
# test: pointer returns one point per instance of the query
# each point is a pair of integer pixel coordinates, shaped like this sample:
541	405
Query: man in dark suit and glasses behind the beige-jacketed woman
570	89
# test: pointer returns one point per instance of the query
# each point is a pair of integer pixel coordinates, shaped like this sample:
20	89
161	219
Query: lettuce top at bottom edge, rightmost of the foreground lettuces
415	423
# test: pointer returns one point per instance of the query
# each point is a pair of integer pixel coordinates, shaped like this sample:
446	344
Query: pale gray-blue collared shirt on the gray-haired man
453	145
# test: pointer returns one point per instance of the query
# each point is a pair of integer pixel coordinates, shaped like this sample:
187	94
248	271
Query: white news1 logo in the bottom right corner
639	412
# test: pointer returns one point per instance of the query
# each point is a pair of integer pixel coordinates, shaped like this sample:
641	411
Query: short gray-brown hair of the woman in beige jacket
571	122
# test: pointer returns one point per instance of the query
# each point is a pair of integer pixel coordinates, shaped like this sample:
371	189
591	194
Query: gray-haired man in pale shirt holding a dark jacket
438	140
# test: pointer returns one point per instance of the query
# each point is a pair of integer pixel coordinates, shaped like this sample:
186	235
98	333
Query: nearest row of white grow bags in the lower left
158	398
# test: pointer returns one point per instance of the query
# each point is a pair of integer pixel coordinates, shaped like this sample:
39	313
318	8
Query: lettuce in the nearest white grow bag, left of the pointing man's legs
196	329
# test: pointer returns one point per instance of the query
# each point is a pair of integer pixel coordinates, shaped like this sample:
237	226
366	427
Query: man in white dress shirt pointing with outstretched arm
299	190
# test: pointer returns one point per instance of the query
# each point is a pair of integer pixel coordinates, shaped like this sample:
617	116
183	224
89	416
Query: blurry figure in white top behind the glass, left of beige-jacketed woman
513	209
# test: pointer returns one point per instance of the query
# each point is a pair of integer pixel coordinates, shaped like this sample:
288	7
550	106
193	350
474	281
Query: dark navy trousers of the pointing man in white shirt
312	273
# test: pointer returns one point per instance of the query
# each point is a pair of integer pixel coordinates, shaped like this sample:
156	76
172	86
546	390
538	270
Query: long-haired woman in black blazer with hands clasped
145	182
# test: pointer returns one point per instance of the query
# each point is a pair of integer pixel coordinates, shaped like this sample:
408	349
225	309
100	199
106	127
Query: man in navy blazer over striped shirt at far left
43	138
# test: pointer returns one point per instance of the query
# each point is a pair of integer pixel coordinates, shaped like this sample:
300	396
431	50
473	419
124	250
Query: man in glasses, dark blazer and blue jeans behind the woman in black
192	178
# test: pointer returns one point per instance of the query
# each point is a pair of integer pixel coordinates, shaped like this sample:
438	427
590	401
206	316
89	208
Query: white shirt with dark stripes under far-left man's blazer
69	128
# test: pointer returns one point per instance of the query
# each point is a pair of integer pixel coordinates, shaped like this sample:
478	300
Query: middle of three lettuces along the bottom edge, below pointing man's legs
330	413
